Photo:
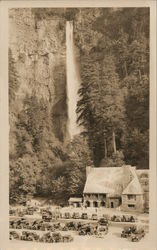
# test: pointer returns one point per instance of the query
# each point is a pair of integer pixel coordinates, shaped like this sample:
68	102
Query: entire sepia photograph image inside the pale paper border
79	127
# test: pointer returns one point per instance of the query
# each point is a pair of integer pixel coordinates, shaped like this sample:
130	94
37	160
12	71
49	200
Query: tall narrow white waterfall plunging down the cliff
73	81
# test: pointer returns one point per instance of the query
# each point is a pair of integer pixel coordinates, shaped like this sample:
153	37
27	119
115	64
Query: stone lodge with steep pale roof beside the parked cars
117	187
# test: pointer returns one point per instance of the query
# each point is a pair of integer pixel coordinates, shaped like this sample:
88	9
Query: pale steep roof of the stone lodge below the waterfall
110	181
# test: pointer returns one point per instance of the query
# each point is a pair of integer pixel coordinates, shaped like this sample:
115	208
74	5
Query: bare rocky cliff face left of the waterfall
39	51
